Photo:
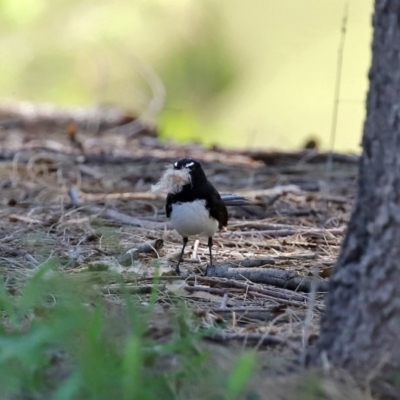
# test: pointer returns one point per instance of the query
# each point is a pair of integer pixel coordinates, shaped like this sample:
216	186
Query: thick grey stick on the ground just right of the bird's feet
275	277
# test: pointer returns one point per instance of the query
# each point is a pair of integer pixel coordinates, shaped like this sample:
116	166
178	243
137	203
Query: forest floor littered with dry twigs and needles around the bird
76	188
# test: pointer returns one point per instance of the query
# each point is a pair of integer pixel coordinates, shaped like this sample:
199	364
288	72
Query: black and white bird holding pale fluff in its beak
193	205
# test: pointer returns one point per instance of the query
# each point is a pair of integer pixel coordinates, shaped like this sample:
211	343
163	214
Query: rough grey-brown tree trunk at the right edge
360	330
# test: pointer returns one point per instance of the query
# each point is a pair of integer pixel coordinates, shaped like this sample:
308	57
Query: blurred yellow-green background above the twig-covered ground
250	74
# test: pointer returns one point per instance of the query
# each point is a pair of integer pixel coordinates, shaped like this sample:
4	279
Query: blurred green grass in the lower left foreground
59	340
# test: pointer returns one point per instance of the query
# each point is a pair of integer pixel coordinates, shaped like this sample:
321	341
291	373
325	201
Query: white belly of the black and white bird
192	218
